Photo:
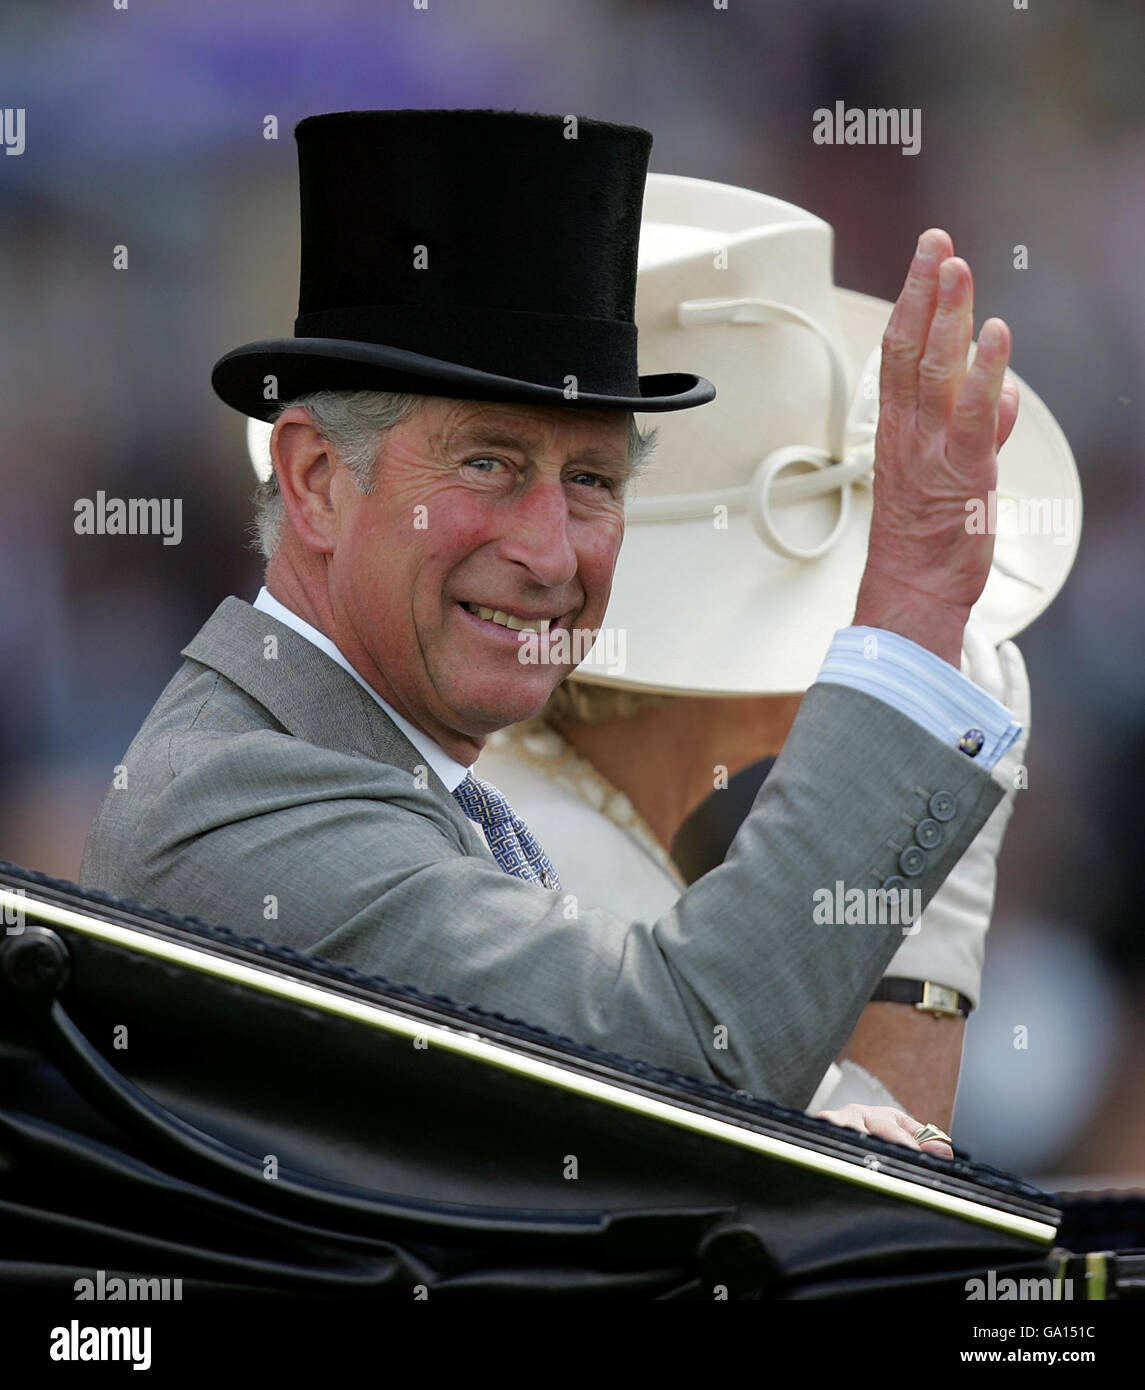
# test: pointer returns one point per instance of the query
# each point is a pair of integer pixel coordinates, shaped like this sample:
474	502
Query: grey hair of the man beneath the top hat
355	423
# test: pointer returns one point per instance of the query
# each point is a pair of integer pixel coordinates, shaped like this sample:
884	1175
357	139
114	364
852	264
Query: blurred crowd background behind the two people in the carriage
145	130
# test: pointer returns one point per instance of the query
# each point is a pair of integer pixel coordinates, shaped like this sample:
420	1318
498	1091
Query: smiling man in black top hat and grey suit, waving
305	775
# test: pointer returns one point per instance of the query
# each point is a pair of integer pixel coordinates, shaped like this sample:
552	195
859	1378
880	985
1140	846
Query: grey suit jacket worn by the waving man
272	794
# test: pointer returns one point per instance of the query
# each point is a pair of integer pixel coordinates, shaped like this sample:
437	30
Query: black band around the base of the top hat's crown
576	355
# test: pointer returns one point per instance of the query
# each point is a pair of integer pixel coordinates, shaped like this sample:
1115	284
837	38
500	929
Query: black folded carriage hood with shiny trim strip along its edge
181	1102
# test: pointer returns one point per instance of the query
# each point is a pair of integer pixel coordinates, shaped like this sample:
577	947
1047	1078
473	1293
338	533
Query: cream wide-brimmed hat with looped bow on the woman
748	533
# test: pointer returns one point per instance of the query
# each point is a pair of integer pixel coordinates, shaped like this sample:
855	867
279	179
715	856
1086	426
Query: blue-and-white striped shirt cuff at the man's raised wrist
923	687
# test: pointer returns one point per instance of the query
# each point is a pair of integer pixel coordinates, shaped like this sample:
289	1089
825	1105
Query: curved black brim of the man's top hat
298	366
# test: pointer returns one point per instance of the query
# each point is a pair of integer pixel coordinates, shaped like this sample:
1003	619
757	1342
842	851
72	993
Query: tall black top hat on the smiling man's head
481	255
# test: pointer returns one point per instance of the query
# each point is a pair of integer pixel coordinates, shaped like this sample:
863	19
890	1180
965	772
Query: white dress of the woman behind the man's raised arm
608	858
